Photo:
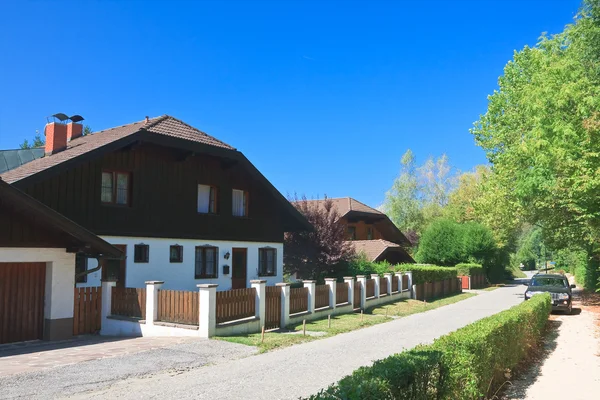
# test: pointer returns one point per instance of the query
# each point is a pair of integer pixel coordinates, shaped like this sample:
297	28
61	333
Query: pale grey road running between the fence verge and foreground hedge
304	369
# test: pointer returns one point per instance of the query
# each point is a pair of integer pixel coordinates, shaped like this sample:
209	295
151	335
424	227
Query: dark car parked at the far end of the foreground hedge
557	285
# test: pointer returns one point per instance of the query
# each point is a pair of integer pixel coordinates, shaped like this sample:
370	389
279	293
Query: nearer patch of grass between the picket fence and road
315	330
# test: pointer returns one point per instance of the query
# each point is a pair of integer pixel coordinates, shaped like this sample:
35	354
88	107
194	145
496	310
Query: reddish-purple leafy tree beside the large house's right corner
322	252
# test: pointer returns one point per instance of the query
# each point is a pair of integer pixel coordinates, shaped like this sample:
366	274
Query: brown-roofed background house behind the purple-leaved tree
371	232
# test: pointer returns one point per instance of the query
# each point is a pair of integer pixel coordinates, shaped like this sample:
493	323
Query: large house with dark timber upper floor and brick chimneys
184	207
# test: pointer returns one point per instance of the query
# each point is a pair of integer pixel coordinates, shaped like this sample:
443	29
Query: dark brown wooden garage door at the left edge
21	301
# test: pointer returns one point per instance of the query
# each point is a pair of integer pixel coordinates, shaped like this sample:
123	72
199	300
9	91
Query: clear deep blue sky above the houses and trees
322	96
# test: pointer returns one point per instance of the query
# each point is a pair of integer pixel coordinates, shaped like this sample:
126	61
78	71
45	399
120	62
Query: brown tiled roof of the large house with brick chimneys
164	125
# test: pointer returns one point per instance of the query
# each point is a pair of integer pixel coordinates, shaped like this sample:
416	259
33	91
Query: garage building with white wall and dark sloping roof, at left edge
38	247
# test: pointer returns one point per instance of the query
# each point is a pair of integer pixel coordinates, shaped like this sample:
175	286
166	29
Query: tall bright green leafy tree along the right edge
540	133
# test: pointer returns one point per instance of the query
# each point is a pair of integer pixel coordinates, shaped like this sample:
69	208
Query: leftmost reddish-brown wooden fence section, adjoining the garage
87	310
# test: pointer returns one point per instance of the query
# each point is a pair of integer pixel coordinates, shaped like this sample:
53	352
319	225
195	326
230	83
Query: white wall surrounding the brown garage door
60	276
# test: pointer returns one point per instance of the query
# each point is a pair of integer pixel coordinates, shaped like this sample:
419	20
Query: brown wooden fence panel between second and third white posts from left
178	306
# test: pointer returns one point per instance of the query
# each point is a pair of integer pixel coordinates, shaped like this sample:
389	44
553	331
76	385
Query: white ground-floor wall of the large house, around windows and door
180	276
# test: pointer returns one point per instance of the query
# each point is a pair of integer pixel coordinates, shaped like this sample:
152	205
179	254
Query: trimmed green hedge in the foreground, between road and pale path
467	364
